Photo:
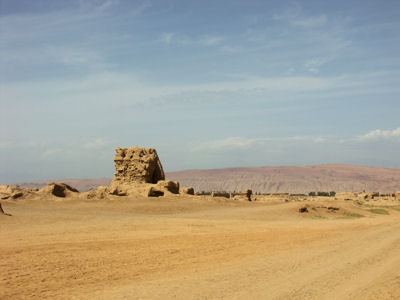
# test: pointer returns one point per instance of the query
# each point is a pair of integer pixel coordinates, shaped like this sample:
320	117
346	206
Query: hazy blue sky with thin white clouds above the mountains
209	84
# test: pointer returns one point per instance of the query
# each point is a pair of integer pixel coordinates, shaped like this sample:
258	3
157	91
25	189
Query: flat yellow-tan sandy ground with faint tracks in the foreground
198	248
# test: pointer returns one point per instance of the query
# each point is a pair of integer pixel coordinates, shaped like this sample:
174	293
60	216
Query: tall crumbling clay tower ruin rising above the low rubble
137	165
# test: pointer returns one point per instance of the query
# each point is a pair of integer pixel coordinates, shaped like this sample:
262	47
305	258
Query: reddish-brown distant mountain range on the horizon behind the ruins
292	179
